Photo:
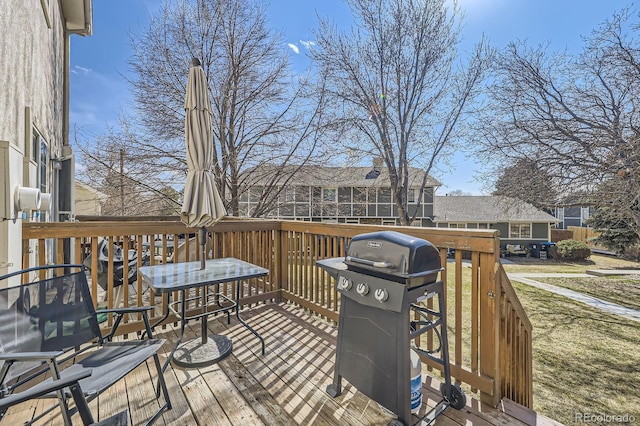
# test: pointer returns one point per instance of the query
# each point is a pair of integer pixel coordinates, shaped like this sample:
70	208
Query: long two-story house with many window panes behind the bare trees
339	195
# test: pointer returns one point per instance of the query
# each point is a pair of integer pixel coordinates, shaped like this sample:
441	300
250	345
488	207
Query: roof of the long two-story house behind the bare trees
334	177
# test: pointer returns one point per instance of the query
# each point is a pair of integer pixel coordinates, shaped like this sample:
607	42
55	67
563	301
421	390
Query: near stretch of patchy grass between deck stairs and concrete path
584	360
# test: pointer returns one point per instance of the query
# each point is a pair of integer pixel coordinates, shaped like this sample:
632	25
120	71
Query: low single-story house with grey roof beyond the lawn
518	222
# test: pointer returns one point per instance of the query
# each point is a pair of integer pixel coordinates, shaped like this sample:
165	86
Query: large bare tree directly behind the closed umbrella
262	114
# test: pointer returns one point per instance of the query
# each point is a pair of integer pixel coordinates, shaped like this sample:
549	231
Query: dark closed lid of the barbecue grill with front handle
393	254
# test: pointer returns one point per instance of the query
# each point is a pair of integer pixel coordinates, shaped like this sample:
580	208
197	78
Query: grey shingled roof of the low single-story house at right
490	208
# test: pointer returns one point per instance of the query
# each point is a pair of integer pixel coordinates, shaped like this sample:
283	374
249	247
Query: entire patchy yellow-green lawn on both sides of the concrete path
584	360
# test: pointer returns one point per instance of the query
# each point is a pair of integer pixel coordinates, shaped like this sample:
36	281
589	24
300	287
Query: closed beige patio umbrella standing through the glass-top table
202	205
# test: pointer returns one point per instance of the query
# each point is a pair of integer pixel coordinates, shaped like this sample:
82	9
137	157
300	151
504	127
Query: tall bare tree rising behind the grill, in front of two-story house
396	87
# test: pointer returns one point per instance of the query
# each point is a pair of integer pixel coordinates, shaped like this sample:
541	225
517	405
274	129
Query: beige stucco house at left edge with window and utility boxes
36	161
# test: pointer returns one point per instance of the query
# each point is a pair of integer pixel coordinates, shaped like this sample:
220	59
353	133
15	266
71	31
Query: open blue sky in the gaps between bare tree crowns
99	92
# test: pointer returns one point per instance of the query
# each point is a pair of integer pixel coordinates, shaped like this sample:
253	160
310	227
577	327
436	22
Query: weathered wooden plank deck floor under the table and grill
286	386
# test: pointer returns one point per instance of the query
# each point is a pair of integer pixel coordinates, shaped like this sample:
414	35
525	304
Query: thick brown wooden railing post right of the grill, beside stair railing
490	325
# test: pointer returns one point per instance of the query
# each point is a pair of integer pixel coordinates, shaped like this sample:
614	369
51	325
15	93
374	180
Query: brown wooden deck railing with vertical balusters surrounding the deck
490	335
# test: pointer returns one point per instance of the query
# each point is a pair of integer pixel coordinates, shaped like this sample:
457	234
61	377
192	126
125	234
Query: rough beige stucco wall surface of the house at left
31	71
